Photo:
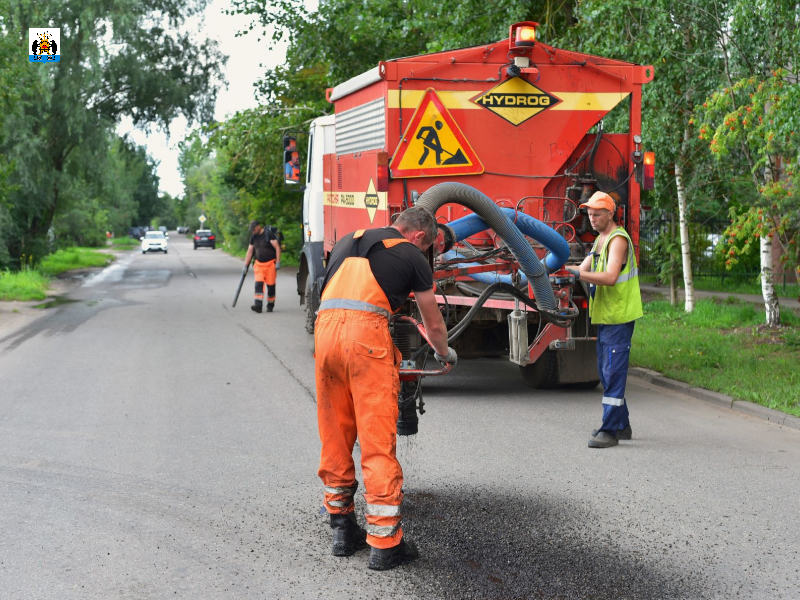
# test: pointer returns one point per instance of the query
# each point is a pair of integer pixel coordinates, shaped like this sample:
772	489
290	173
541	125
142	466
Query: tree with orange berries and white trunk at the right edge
751	125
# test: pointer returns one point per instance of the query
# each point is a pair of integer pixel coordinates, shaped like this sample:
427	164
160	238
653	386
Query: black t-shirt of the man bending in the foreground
399	270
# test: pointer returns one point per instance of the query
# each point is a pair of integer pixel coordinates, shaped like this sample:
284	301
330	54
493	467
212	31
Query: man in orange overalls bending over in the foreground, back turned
369	276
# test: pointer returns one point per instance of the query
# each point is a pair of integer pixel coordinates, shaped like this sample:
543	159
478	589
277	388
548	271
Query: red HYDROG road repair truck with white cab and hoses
503	142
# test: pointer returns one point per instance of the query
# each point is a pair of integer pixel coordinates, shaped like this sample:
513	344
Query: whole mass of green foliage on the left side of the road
58	156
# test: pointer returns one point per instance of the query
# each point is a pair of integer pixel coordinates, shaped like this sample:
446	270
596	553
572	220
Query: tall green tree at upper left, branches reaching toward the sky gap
121	58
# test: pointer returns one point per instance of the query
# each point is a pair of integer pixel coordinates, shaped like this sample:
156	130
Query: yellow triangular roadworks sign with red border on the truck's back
433	145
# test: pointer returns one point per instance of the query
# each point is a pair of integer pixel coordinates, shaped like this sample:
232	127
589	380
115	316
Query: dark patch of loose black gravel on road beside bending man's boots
487	545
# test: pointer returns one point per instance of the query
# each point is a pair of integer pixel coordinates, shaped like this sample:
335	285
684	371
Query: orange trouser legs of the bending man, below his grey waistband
358	380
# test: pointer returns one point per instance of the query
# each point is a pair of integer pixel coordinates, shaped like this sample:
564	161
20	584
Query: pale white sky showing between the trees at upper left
245	54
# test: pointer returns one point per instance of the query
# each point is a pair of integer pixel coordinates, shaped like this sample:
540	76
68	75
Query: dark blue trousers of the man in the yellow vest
613	355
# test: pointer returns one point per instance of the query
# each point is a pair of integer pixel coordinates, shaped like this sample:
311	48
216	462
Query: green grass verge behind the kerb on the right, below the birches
723	346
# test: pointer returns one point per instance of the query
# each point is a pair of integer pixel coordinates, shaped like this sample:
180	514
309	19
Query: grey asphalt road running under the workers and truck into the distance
156	443
